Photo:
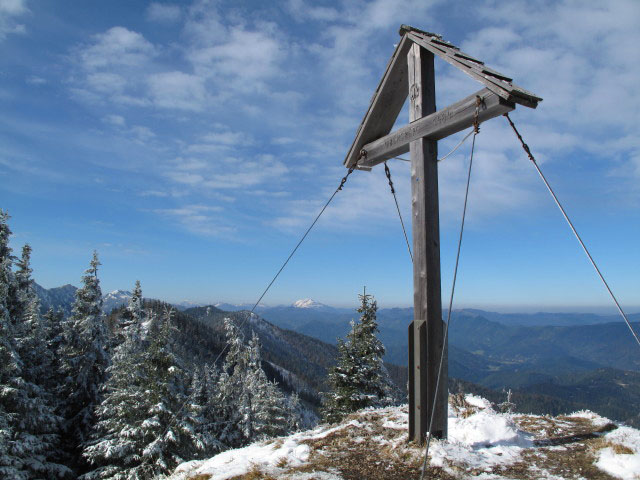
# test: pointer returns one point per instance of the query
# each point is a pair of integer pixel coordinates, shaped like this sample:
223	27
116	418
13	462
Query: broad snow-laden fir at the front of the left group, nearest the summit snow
145	424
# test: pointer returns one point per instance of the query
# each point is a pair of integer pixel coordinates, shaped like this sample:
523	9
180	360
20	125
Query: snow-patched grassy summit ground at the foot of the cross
484	444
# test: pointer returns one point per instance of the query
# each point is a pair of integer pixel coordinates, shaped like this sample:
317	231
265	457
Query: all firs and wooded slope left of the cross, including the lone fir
132	394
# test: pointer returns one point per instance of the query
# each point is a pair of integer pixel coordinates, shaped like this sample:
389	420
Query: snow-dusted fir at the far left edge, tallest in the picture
28	425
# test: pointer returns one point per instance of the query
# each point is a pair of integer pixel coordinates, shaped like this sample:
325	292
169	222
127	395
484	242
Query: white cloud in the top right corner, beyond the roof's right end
582	59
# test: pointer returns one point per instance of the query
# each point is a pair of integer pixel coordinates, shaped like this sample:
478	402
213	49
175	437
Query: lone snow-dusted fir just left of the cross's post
359	379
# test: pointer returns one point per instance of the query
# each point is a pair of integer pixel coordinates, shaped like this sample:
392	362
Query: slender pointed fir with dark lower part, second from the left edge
84	361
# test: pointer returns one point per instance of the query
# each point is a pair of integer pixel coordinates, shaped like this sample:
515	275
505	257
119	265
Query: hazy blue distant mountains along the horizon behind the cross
553	362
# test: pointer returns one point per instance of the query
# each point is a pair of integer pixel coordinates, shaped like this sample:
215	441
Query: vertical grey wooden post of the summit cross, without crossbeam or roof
426	333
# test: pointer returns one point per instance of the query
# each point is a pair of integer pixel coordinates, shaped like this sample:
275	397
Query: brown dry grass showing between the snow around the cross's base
371	449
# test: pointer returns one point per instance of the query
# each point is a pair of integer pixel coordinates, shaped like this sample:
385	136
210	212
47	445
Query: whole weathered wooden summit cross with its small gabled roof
411	70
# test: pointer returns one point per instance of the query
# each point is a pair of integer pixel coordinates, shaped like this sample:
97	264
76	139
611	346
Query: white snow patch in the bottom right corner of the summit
622	458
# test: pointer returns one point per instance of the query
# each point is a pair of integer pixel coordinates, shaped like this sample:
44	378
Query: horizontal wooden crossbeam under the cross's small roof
436	126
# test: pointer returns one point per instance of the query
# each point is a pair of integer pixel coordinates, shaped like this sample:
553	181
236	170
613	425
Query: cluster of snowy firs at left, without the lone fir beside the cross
96	397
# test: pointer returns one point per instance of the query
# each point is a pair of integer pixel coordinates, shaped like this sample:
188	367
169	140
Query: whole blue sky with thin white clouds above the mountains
192	143
